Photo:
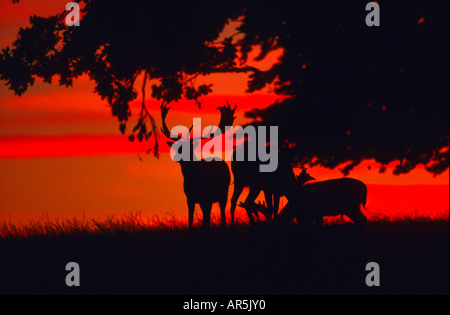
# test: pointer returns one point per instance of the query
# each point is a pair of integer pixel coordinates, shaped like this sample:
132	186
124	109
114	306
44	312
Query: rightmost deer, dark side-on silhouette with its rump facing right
342	196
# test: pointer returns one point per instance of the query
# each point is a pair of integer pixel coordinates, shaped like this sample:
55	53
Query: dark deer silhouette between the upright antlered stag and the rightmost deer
275	184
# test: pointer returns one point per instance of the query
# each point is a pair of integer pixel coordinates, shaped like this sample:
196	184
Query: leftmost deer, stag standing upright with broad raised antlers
205	182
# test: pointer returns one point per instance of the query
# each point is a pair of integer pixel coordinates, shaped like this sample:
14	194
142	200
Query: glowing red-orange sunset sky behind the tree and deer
61	152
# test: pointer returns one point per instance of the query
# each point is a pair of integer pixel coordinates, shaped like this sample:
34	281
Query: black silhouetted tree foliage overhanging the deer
354	92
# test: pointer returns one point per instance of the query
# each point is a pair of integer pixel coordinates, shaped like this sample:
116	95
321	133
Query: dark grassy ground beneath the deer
130	256
